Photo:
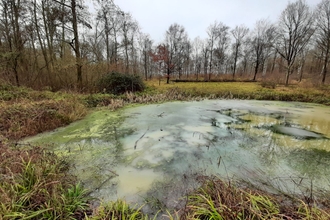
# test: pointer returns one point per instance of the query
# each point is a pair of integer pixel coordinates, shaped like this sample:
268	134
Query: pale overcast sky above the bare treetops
155	16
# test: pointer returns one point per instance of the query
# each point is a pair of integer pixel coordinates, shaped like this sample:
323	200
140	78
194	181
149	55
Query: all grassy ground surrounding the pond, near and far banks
35	183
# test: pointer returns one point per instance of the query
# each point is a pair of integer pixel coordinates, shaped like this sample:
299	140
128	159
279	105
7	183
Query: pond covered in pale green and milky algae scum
155	153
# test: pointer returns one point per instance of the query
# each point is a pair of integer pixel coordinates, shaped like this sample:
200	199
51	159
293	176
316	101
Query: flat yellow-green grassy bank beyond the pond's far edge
247	90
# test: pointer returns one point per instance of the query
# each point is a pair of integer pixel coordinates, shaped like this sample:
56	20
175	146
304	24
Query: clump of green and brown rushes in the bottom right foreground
219	200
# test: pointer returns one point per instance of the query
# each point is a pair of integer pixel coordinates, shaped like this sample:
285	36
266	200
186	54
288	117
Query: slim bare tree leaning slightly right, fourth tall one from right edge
238	33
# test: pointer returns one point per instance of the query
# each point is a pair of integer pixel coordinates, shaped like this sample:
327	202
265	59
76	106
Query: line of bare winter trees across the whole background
61	44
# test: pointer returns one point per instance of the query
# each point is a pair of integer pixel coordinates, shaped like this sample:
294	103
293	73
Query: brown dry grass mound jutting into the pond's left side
23	119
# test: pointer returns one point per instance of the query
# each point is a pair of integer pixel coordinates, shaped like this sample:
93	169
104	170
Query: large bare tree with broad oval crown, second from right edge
295	29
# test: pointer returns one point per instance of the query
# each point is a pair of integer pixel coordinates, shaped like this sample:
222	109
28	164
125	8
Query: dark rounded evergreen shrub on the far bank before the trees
118	83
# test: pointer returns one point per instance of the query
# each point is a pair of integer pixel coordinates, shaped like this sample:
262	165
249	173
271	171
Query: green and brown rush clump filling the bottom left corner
35	185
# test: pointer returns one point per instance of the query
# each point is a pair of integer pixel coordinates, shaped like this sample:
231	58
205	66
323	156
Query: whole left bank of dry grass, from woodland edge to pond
25	112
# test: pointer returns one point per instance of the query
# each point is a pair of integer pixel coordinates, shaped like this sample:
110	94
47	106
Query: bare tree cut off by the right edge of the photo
323	34
